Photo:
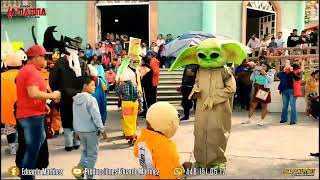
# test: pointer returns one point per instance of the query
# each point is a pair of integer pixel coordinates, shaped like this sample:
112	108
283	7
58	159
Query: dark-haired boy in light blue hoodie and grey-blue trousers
87	123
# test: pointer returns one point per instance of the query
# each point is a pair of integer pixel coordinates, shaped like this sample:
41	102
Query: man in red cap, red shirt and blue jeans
31	104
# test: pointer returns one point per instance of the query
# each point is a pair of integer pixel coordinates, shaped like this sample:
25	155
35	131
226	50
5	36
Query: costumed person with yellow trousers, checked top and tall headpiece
130	91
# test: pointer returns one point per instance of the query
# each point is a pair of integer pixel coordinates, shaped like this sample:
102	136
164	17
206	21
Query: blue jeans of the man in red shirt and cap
34	135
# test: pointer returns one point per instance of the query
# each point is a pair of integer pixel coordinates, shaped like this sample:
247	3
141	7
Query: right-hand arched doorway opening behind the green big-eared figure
259	23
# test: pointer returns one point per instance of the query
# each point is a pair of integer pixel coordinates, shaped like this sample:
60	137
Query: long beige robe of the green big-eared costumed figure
216	88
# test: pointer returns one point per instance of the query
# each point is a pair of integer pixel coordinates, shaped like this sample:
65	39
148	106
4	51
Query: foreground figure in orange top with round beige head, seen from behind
154	148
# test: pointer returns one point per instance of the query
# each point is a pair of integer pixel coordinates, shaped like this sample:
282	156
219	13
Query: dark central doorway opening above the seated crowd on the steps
132	20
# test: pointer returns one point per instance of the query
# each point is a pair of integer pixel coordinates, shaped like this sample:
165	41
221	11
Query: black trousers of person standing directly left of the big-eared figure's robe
187	103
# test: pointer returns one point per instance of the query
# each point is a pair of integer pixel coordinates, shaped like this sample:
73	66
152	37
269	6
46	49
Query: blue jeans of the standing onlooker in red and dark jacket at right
288	98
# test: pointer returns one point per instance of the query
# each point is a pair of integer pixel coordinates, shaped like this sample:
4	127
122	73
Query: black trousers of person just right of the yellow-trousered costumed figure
150	97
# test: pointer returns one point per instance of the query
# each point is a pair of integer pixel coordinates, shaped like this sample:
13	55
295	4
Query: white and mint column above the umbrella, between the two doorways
209	16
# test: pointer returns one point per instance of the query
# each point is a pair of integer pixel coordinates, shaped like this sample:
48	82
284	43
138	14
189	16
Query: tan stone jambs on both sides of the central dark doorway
91	19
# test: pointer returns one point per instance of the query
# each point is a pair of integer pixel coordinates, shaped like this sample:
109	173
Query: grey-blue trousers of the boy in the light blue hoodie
90	144
